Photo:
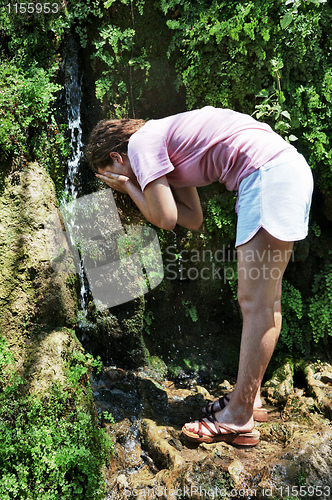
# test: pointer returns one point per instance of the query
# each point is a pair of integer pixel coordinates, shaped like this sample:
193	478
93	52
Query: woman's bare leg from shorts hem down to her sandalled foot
261	265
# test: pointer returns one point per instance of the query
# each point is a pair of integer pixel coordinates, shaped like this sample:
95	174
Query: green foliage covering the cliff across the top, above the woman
229	55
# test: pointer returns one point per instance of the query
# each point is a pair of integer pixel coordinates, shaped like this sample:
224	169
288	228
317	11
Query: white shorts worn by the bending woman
276	197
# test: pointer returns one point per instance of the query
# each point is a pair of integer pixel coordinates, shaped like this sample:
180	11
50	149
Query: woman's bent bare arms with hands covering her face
159	204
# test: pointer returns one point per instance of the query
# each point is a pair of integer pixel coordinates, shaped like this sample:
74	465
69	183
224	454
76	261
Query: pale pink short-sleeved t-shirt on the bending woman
202	146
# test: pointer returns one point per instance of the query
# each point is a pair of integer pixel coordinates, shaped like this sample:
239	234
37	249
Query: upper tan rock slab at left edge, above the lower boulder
33	297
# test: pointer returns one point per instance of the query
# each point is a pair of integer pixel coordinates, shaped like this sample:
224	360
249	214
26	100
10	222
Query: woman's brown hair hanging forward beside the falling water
108	136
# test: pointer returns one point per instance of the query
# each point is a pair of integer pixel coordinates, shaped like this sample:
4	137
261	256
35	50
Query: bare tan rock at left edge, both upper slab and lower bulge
37	306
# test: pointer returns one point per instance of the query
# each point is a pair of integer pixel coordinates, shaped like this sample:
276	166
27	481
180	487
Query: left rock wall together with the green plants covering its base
51	444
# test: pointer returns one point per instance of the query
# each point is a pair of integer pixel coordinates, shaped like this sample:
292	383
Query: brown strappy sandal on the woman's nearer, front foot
232	437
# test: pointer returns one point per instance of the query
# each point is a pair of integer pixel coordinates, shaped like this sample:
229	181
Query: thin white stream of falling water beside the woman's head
73	93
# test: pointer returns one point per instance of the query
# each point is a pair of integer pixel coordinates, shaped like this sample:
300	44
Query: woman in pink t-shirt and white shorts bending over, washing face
159	164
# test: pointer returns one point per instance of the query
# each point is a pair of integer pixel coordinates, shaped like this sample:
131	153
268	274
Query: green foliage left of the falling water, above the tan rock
28	92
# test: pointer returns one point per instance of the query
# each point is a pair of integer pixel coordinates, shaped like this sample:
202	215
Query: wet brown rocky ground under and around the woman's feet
153	460
